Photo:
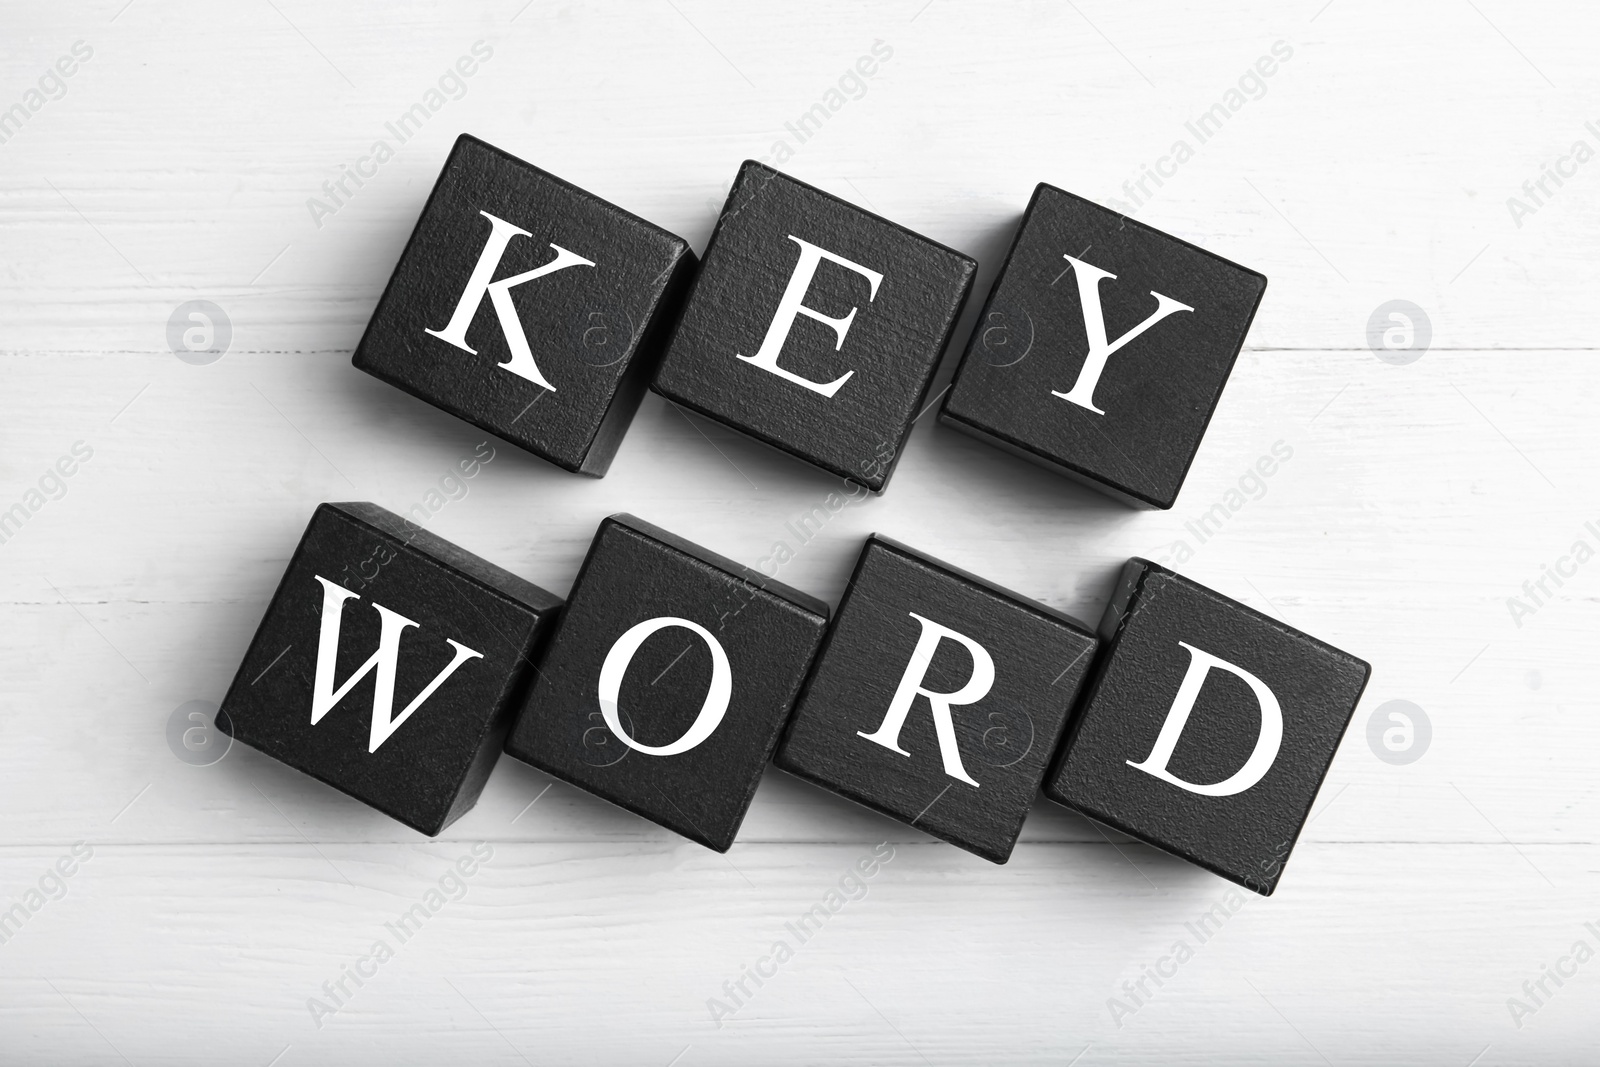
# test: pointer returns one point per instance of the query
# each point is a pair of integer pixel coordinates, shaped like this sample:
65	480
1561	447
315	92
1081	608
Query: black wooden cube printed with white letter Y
1158	391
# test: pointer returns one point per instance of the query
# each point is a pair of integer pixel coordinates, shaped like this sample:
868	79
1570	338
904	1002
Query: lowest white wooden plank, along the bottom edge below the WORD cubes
558	951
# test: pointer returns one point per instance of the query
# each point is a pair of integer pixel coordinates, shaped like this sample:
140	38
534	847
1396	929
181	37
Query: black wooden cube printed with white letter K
594	332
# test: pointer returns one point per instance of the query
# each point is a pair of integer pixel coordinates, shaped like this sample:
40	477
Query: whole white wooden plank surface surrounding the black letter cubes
1377	167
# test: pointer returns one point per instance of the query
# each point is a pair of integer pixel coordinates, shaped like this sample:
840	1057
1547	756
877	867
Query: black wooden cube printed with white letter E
892	346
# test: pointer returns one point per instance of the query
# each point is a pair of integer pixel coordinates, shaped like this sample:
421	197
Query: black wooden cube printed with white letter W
431	770
